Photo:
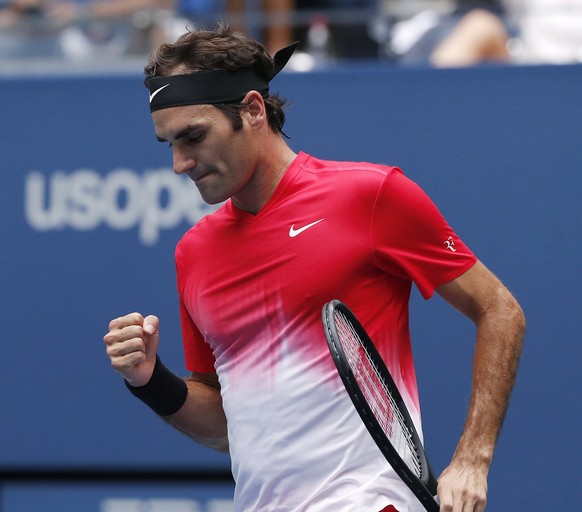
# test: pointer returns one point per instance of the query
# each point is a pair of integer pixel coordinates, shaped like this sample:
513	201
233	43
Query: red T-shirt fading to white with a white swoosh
251	290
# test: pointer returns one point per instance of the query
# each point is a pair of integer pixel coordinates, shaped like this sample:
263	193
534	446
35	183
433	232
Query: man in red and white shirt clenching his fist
294	233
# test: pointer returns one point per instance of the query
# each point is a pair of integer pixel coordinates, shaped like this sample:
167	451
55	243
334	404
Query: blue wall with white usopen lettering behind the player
90	213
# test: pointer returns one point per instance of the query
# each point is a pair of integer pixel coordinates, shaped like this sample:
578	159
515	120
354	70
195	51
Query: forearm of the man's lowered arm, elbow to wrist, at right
499	340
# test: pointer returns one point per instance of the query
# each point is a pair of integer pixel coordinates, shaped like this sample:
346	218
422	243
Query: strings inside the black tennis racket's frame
376	391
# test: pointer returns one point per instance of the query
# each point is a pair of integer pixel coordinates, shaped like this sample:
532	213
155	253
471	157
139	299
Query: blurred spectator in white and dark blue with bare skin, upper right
475	31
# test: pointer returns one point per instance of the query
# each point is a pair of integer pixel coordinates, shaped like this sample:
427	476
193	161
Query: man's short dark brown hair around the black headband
205	50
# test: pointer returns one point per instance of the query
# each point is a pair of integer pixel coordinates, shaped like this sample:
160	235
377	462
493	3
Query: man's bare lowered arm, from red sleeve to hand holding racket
500	322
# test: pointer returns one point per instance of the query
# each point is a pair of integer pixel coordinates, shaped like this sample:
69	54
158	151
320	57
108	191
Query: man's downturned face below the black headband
207	149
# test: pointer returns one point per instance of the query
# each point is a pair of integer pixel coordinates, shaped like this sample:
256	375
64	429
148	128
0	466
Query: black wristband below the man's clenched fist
165	393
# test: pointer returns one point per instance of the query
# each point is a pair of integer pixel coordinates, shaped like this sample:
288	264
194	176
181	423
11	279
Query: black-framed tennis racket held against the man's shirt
378	401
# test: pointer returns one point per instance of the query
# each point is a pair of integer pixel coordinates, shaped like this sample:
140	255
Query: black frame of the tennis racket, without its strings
421	479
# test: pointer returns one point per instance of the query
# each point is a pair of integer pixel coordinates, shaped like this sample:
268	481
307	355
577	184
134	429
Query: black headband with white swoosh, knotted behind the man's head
214	86
